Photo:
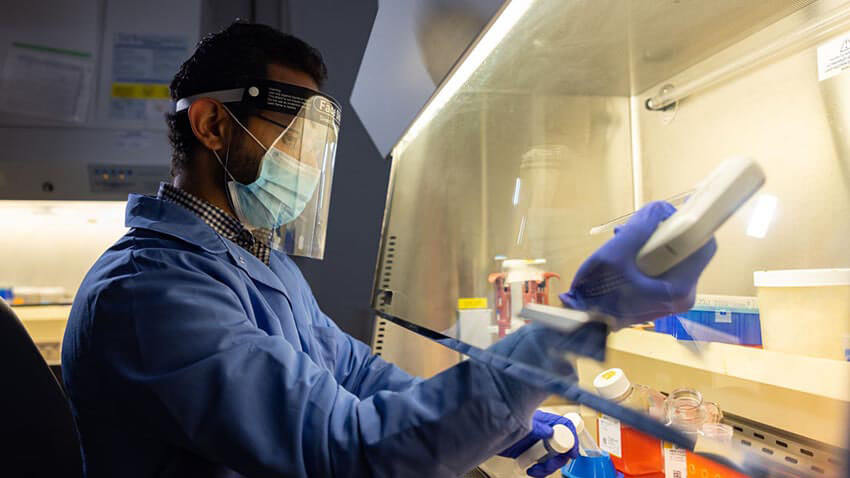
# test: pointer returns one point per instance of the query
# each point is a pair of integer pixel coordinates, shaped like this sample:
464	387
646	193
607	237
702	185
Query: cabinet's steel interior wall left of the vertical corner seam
453	208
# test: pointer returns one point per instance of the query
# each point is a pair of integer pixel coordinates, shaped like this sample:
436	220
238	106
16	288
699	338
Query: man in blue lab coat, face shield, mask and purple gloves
195	347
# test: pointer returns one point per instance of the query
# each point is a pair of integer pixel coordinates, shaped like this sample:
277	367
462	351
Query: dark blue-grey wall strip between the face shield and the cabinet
342	282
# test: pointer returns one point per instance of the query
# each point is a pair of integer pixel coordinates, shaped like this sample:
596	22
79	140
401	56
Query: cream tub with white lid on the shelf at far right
805	311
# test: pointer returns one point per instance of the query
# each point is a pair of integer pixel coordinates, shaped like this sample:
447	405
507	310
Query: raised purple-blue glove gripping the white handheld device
610	281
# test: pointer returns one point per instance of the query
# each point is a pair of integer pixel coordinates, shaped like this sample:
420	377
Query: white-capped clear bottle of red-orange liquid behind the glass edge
633	453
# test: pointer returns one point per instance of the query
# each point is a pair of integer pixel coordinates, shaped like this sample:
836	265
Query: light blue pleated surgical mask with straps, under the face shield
279	194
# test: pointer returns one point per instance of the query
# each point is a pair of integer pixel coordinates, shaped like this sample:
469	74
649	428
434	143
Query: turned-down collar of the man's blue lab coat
146	212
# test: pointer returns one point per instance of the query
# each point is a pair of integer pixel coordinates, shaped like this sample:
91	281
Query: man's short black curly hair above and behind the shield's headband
221	60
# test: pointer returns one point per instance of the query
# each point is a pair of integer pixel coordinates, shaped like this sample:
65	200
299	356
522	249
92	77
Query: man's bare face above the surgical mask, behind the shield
245	154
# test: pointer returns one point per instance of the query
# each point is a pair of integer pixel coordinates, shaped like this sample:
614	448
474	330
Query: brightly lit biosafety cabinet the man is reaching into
561	120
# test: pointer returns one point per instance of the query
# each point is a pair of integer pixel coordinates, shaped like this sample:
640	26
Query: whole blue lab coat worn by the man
186	356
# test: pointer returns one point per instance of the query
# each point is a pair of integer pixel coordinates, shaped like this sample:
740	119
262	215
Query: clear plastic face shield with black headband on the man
286	206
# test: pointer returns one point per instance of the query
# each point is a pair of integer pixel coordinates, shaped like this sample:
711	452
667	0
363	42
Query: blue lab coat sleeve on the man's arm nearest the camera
186	364
